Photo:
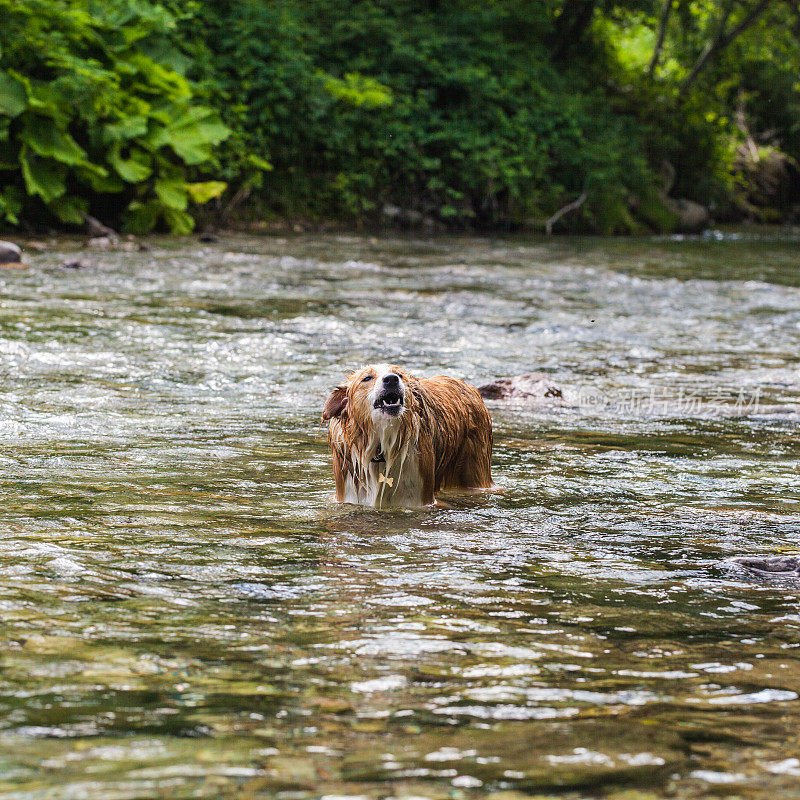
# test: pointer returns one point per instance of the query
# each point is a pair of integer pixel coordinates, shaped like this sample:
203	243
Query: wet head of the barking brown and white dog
378	395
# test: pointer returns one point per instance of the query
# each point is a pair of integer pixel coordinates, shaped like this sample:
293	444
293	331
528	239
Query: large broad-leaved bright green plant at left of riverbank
88	110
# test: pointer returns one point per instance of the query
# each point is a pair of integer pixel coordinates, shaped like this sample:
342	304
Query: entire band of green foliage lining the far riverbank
479	114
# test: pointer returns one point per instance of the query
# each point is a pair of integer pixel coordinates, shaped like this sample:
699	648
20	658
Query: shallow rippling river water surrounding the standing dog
185	613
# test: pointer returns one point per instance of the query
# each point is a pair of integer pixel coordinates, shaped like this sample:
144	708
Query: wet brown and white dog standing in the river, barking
397	439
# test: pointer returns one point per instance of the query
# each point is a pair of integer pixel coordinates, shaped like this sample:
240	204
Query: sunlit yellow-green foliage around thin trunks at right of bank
699	112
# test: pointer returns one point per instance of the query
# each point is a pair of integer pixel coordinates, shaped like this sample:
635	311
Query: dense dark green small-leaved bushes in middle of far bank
456	113
